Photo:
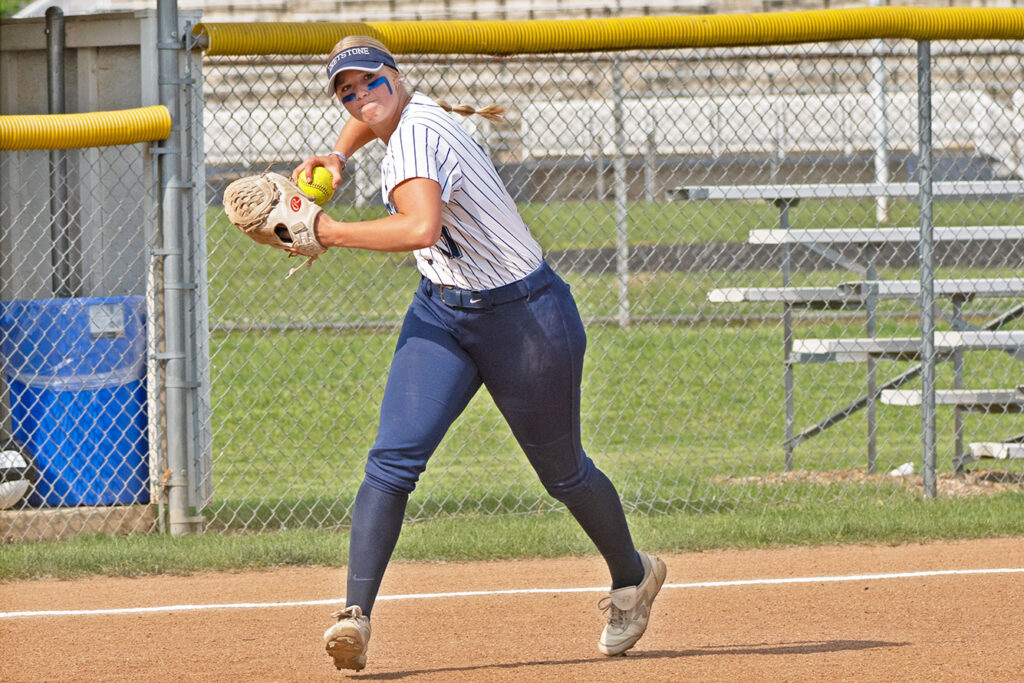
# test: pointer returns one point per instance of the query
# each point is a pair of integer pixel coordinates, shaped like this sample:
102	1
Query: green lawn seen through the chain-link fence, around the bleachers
667	409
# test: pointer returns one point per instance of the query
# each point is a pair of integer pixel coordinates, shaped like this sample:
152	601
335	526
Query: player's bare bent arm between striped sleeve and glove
416	224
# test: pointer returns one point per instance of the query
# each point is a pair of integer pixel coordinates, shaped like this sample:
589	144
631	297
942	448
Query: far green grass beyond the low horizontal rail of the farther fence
248	286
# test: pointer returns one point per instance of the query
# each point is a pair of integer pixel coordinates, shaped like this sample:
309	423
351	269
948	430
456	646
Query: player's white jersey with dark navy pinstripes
485	242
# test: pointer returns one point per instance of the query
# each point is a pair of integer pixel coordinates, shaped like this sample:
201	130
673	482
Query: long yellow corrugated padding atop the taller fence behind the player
619	34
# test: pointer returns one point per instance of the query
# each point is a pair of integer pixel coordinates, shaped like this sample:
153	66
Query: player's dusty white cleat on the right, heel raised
629	609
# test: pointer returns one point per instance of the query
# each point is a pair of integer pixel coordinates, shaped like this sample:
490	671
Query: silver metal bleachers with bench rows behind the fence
867	292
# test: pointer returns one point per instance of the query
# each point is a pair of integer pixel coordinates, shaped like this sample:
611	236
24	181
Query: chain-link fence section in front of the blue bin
75	341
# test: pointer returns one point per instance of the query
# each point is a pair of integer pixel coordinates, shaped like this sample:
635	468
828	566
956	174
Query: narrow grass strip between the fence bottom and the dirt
903	520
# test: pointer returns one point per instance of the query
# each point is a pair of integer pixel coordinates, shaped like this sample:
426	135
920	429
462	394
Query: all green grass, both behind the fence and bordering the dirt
675	412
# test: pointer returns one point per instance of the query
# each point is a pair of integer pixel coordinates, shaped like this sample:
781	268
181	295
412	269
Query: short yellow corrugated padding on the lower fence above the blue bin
95	130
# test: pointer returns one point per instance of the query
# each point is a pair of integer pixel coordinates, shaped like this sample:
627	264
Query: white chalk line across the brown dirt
524	591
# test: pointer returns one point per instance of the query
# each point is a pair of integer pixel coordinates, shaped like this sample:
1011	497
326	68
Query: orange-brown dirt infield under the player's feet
724	616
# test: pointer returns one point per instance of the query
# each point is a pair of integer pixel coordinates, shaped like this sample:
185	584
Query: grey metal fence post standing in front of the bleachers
928	438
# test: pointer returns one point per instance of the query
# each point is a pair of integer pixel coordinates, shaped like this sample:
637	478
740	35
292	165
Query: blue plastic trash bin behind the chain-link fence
76	370
